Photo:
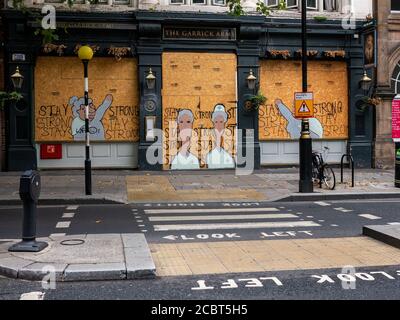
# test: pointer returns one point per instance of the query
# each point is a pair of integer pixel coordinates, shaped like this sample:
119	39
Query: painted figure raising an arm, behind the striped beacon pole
96	127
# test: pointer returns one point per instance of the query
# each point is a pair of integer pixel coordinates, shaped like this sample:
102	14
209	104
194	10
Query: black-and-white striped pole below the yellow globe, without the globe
88	163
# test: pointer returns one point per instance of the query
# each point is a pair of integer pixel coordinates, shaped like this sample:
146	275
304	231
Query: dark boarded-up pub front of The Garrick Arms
201	59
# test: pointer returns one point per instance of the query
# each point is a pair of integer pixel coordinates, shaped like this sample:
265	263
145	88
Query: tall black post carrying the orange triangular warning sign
305	184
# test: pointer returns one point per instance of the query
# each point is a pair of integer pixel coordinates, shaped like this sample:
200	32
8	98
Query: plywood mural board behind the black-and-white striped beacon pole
113	100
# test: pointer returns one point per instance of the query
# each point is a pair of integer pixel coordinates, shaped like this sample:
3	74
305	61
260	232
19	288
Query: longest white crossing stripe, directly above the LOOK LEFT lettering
250	225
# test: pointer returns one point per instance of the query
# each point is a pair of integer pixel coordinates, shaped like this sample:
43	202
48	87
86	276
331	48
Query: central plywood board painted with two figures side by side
199	117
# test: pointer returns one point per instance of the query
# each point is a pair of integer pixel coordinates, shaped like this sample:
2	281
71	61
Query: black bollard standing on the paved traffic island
29	191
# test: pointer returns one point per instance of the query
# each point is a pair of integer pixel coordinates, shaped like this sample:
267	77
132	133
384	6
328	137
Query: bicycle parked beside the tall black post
322	172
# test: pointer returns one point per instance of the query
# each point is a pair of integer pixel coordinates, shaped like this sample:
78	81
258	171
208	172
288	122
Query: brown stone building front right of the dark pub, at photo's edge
388	75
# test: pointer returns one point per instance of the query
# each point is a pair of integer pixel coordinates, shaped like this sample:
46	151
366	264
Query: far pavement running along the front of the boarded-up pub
130	186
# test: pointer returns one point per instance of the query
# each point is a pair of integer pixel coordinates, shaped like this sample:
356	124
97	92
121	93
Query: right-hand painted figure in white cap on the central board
218	158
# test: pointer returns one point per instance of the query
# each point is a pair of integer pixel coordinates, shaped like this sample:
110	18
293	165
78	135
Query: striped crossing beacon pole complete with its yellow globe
85	53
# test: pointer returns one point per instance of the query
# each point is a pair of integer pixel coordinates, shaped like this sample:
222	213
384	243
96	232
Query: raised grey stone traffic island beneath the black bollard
82	257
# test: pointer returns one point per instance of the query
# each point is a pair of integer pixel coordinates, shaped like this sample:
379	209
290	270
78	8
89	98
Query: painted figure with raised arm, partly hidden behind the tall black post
294	125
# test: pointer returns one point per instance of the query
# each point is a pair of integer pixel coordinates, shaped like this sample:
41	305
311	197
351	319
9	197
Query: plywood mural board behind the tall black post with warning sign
281	79
